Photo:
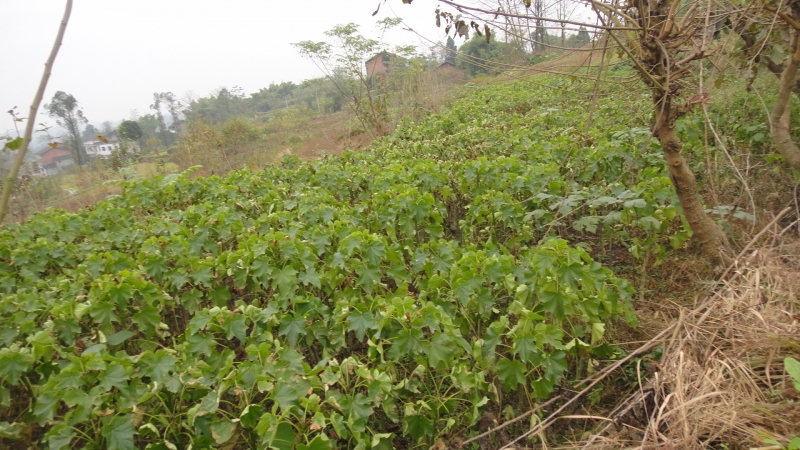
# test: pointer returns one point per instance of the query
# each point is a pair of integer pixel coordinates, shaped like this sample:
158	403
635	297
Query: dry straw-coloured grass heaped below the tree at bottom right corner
721	382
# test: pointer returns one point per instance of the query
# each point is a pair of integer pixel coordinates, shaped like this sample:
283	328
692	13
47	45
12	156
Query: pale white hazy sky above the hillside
117	53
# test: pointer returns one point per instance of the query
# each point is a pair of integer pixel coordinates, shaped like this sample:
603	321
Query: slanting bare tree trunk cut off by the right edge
779	118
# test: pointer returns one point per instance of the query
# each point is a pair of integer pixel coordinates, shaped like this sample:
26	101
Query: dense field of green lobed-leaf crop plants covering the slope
383	299
